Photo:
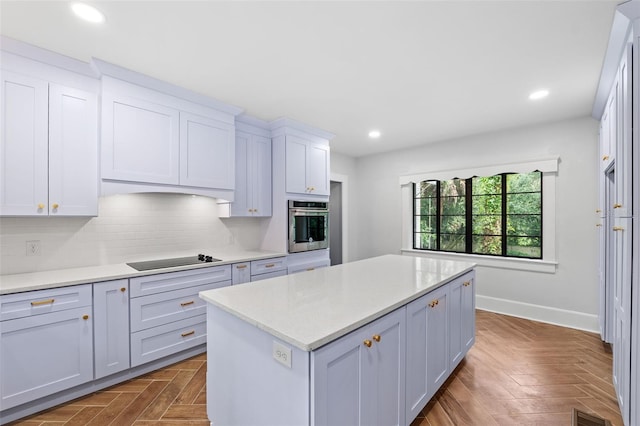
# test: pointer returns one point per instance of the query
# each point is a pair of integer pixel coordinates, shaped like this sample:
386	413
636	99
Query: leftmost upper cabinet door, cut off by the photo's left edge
24	146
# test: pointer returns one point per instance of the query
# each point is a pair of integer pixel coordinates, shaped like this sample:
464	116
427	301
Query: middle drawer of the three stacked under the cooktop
162	308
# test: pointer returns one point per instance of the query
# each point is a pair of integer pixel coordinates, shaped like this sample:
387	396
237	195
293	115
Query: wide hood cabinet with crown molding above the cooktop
157	137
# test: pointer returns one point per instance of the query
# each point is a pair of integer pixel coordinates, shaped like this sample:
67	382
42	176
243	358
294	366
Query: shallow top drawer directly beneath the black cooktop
153	284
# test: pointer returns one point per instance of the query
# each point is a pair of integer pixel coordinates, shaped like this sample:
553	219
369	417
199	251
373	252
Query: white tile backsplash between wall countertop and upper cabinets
128	228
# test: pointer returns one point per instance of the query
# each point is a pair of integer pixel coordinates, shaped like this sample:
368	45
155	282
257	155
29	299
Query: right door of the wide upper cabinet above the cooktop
207	152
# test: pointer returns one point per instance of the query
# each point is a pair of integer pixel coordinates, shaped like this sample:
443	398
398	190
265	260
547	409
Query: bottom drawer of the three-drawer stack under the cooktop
158	342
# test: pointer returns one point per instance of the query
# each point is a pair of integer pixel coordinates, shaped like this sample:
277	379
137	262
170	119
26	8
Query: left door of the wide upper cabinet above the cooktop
140	140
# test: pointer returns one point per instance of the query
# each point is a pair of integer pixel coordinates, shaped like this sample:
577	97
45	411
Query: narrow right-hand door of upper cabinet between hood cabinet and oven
261	176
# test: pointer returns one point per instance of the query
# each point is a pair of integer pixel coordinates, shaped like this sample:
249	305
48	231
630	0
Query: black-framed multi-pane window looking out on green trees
498	215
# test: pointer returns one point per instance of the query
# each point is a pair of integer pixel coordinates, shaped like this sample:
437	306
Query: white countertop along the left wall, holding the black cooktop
16	283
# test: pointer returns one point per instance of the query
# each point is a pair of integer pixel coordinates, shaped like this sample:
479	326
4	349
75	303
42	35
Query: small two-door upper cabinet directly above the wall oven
307	166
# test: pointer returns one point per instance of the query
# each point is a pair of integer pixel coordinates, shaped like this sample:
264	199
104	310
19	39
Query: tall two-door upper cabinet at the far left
48	151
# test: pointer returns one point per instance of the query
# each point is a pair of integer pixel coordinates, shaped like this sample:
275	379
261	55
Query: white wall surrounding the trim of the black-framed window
570	295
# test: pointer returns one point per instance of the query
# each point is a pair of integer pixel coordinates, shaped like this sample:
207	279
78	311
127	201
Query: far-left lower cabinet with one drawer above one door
46	349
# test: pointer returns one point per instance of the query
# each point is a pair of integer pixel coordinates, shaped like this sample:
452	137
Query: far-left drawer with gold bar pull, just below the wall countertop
20	305
